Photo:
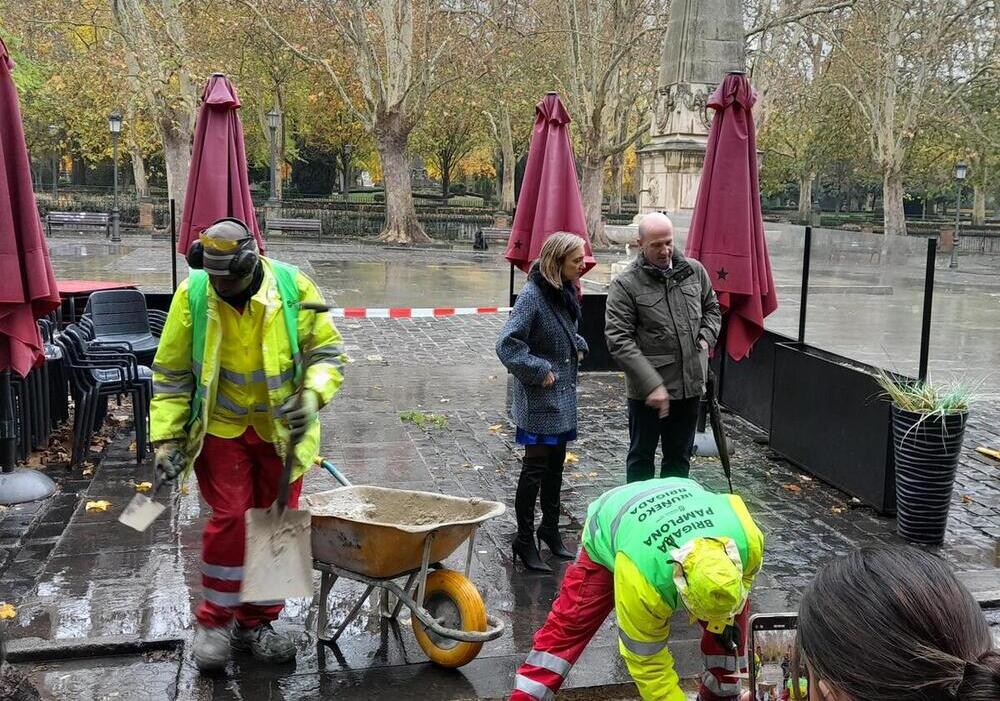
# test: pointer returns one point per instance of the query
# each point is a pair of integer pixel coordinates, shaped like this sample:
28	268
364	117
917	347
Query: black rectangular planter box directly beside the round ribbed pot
828	418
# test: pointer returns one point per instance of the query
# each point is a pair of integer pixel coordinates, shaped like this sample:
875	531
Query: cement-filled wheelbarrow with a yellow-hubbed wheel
376	535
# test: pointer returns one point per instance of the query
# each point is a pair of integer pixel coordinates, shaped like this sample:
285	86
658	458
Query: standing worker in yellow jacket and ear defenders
234	350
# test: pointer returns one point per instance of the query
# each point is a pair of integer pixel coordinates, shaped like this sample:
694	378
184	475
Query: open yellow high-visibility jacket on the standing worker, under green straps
175	374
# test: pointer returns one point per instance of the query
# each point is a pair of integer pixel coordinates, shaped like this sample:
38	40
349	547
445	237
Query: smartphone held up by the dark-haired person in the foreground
772	639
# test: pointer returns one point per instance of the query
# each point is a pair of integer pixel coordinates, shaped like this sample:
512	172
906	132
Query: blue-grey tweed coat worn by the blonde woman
541	336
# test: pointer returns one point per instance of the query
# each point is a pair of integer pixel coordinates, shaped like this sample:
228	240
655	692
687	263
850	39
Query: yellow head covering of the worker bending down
708	574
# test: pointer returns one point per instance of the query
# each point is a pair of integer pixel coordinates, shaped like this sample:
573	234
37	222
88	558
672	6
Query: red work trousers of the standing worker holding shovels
235	474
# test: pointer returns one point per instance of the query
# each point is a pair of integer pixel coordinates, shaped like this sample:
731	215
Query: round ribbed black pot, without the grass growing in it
927	450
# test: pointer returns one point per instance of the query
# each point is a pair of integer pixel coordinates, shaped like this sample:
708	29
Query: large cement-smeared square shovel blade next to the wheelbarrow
277	560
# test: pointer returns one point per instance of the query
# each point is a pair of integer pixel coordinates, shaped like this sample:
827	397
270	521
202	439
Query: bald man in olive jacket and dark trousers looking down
662	318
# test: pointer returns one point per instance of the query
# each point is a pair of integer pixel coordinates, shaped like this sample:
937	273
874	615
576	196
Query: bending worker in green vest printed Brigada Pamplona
649	547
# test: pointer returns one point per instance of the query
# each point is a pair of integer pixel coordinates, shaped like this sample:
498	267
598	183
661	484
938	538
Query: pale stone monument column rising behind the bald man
704	42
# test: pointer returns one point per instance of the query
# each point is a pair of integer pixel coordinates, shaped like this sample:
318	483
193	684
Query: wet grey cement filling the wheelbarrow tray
394	507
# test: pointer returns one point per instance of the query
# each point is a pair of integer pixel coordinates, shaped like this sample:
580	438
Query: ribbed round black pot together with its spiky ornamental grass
928	425
